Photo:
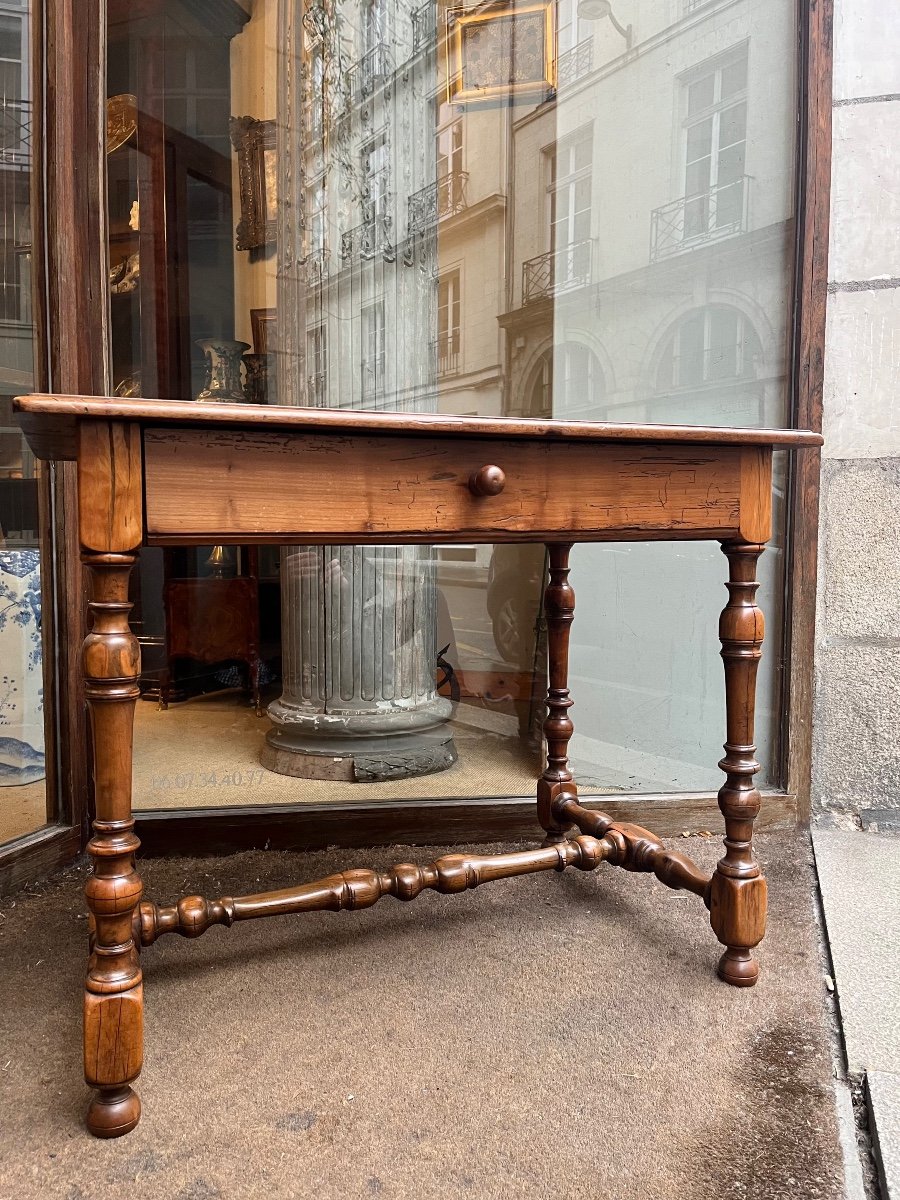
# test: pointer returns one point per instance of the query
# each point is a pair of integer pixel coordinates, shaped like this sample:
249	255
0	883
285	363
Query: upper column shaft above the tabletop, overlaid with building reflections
357	160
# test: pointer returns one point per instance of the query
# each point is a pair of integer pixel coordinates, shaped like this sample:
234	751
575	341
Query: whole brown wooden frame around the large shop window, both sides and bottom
73	340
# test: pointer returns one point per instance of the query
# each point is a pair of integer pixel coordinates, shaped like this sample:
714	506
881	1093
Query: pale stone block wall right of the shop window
857	709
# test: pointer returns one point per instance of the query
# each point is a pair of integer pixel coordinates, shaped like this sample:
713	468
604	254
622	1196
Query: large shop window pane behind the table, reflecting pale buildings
333	203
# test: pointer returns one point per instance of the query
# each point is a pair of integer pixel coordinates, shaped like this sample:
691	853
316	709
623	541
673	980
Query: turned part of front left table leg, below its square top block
113	1000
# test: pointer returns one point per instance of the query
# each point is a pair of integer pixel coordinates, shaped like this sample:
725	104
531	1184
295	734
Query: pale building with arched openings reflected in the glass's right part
651	226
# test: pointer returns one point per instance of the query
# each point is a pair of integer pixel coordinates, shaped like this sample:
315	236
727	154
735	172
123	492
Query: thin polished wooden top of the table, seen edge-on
51	424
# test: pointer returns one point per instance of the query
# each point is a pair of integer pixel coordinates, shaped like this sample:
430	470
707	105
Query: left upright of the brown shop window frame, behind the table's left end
70	284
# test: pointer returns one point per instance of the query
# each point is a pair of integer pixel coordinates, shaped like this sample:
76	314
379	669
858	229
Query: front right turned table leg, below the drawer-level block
737	896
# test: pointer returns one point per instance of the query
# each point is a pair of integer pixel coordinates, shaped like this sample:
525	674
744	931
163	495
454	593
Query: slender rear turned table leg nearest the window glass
560	609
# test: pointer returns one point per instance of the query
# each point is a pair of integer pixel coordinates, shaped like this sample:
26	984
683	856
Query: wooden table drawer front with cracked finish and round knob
225	487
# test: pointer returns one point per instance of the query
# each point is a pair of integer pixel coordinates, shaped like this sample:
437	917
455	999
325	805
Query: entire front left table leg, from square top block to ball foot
111	530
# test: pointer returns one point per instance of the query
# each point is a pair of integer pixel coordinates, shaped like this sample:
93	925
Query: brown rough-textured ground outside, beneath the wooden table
544	1037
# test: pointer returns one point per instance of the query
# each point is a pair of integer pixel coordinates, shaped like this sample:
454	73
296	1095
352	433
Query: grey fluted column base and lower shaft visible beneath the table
359	653
